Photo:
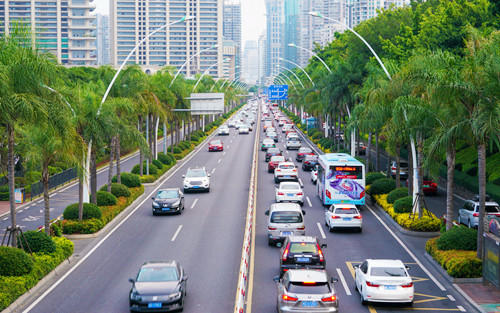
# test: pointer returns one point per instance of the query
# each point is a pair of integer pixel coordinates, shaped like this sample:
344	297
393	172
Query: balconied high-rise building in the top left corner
65	28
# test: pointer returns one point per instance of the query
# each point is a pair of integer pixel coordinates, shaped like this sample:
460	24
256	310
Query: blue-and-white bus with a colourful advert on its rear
341	179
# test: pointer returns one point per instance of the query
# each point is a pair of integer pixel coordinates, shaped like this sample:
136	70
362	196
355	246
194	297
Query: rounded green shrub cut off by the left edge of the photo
14	262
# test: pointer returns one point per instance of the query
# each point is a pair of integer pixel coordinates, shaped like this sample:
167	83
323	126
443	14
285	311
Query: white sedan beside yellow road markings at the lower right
384	281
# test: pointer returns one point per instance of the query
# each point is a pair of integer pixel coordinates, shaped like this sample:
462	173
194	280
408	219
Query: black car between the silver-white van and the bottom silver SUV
301	252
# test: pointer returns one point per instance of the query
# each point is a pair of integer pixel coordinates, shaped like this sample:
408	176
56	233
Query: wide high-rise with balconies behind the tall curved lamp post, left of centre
132	20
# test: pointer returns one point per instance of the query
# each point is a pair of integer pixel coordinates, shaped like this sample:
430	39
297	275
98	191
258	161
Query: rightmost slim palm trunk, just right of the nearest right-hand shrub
481	171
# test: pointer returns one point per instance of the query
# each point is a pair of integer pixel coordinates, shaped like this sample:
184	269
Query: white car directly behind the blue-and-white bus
342	215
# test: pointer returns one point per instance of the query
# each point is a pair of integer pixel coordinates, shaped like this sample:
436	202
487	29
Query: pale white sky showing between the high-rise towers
253	18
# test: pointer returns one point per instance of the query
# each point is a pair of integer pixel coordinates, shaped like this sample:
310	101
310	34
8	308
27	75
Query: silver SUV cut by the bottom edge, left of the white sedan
306	291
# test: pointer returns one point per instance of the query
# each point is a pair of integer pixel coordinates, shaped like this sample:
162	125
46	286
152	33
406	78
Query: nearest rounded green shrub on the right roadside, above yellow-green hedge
458	238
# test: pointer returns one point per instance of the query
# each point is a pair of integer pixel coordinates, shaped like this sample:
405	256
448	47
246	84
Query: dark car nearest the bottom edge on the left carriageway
160	286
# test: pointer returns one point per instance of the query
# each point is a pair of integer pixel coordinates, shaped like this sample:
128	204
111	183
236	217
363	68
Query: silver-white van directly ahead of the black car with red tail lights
285	219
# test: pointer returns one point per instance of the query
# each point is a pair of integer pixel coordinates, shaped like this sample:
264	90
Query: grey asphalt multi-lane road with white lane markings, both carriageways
207	239
